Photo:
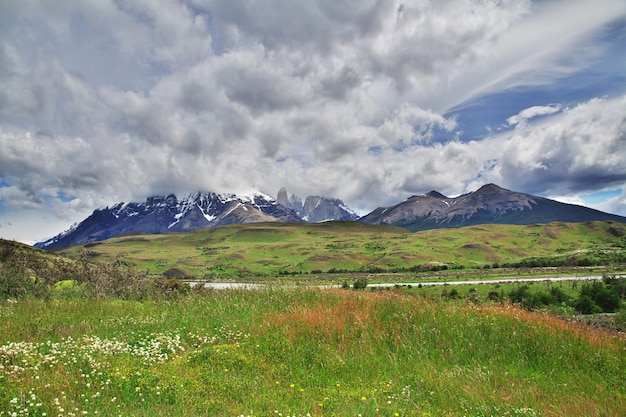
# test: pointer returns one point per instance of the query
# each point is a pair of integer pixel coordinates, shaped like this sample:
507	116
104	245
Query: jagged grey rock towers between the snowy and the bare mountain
316	208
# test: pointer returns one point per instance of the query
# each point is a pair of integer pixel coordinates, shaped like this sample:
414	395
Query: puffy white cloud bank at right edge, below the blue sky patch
575	151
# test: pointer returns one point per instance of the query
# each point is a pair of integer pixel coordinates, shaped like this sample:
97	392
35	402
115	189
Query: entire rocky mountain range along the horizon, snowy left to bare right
161	214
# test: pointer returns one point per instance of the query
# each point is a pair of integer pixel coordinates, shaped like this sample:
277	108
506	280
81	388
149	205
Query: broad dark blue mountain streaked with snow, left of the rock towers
162	214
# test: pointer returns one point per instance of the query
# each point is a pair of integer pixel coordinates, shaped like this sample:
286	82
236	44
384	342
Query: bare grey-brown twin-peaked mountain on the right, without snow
490	204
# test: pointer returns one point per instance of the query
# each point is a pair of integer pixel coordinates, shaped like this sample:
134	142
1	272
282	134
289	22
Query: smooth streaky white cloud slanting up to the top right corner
555	38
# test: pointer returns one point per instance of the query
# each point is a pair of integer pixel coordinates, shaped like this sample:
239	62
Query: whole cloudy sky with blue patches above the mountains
370	101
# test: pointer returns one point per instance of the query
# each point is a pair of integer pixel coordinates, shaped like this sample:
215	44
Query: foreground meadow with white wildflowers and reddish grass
299	352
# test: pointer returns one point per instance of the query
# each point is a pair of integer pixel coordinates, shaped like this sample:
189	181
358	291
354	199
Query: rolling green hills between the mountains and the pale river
237	251
